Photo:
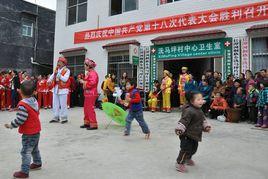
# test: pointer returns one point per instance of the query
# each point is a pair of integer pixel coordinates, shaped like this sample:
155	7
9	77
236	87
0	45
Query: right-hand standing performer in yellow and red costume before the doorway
183	79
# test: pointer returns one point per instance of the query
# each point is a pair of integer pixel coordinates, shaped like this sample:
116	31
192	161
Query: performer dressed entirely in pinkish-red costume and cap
90	85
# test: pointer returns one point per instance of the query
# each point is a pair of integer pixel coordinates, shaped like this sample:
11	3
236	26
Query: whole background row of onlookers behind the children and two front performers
244	98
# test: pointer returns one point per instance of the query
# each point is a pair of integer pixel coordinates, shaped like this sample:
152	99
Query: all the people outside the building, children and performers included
247	94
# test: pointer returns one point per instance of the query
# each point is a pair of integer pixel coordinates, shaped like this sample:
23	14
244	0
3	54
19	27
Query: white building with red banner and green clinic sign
193	33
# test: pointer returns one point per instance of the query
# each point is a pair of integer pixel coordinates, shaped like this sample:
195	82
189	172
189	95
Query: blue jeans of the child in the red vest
30	149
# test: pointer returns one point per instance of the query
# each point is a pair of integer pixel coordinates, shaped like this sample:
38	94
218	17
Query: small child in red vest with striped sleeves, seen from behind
27	119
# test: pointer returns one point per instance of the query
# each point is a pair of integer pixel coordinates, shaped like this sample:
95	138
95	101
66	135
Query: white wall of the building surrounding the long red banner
148	9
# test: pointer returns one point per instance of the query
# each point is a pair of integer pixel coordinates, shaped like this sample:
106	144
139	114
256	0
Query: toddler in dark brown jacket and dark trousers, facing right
190	128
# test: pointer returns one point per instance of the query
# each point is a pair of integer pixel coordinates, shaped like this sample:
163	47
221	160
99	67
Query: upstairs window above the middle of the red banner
120	6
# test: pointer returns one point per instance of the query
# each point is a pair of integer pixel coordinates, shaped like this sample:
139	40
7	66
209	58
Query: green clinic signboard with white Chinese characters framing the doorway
195	49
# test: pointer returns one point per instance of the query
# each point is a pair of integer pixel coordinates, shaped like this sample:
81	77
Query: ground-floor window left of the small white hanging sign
118	63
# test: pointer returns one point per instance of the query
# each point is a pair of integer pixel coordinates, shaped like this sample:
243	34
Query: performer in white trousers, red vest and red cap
61	83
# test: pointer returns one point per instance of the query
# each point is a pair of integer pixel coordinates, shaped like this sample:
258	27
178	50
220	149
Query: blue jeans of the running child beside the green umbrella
138	115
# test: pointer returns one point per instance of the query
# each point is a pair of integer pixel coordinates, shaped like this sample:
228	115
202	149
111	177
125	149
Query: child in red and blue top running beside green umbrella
133	101
